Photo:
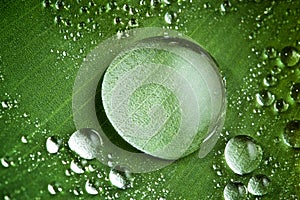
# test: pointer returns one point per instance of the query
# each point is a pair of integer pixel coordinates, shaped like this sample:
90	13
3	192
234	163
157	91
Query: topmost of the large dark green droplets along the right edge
290	56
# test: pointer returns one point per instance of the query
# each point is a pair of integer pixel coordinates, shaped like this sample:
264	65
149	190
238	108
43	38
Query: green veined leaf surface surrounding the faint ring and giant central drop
43	45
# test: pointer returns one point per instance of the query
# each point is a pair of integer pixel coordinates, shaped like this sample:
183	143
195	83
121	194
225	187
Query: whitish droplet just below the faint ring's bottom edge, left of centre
120	177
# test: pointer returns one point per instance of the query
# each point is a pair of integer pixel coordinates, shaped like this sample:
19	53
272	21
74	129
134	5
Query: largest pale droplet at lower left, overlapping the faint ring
85	142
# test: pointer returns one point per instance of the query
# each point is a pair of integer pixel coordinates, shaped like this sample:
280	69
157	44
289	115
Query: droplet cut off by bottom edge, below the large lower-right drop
235	191
